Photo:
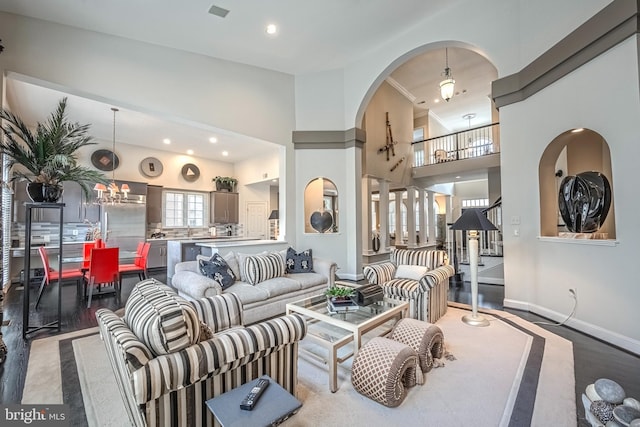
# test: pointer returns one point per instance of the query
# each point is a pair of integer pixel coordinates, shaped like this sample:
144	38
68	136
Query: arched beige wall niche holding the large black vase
570	153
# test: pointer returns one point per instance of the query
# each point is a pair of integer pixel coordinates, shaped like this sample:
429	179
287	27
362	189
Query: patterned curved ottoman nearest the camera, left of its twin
383	369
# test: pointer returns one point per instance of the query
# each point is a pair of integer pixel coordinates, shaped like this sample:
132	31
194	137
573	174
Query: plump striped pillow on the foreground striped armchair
160	318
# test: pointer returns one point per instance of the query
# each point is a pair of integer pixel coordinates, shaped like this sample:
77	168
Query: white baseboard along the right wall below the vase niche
610	337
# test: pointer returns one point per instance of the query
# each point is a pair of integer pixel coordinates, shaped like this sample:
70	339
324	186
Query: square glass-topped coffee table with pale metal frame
333	330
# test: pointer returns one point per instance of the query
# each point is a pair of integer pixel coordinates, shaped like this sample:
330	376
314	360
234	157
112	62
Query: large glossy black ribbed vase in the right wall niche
584	201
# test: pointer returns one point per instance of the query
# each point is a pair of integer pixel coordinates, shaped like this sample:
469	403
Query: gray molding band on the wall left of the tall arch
330	139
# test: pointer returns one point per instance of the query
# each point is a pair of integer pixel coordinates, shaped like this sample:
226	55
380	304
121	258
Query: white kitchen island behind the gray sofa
188	249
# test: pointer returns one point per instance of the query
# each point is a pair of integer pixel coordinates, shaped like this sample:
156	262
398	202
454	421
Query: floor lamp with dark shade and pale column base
473	220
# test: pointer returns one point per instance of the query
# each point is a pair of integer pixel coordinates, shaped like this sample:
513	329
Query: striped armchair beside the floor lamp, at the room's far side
427	294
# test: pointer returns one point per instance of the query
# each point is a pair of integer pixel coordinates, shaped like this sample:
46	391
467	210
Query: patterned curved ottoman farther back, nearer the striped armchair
425	338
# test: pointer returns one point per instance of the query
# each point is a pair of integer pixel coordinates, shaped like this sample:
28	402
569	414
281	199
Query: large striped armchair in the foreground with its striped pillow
170	355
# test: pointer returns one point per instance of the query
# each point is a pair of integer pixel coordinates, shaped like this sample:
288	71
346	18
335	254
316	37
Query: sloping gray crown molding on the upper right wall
615	23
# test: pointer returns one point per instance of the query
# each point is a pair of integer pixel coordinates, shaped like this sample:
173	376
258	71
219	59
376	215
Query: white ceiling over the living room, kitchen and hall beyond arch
312	37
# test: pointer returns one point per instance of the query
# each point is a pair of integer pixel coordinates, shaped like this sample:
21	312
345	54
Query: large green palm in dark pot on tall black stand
47	155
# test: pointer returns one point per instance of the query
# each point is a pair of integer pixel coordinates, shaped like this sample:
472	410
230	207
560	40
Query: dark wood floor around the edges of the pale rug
593	358
